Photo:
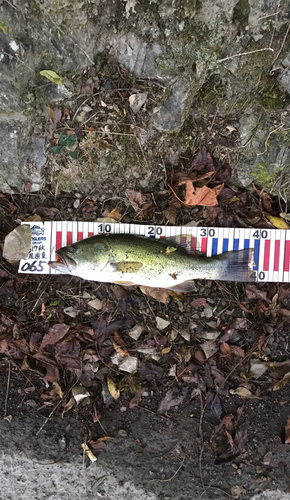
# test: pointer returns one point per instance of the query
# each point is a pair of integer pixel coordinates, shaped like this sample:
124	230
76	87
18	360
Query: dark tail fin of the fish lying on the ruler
238	265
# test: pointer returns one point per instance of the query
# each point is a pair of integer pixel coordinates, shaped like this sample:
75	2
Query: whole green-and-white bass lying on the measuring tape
136	261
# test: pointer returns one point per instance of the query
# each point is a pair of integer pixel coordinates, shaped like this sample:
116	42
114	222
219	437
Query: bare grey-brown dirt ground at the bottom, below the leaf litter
151	456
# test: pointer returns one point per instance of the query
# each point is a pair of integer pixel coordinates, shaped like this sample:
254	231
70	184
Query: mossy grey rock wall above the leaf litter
224	61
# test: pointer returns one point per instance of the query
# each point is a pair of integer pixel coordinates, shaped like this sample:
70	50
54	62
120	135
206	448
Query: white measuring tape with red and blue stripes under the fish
271	256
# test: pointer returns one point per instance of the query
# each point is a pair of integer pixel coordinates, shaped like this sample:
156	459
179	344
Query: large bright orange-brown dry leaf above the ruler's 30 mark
204	195
